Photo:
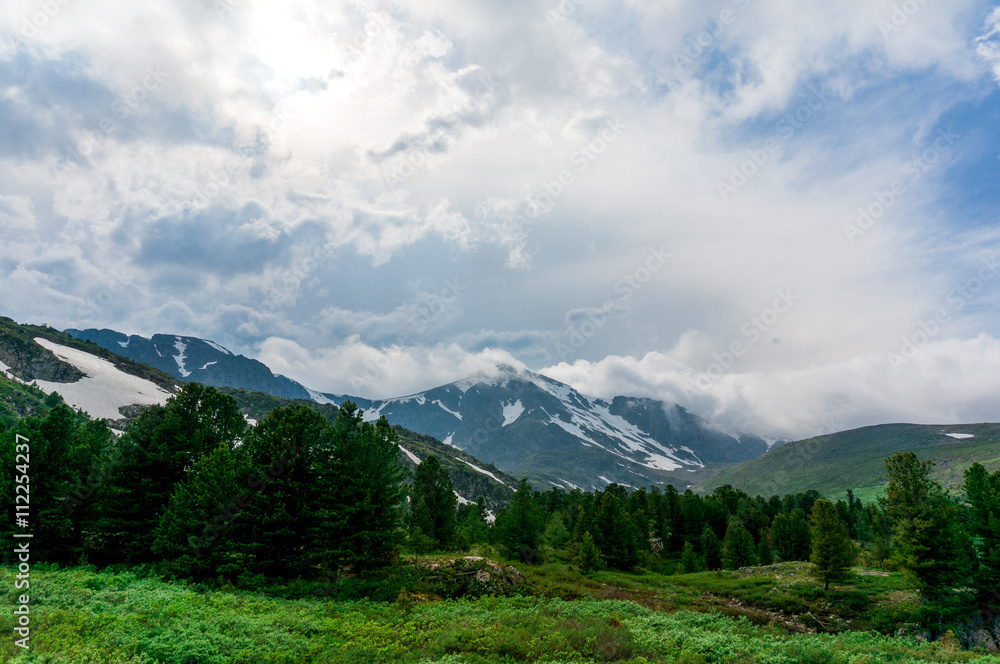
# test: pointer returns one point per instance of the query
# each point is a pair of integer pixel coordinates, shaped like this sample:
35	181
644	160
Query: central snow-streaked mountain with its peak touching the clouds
533	426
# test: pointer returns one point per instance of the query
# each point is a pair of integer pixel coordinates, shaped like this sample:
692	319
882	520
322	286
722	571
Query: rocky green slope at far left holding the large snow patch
88	377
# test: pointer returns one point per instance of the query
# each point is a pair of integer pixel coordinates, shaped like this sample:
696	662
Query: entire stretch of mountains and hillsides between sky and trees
508	422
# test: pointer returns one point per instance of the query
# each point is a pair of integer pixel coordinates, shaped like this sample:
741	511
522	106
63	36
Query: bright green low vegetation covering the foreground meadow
82	616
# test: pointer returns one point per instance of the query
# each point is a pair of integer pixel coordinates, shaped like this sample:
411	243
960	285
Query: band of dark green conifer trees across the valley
195	490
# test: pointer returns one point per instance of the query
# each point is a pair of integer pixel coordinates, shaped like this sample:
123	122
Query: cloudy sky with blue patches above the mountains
781	215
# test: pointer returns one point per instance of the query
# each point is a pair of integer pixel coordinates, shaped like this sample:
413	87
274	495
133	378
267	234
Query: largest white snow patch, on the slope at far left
104	389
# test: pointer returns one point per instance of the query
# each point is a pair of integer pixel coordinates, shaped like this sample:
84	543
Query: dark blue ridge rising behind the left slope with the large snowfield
191	359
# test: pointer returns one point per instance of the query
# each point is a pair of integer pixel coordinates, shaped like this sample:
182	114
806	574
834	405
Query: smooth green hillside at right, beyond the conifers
834	463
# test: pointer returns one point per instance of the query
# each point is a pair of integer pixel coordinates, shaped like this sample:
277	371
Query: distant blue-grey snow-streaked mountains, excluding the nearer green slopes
524	423
